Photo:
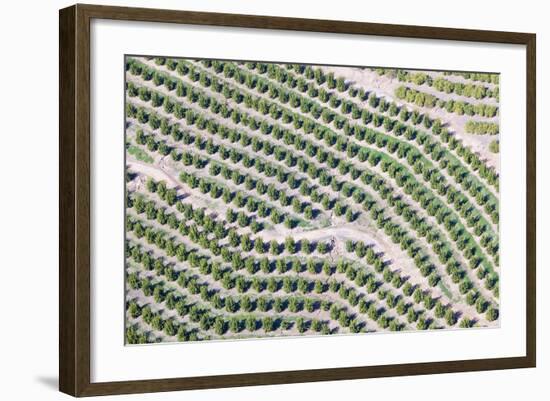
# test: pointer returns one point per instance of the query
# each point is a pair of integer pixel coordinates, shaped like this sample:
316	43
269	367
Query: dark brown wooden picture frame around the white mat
74	199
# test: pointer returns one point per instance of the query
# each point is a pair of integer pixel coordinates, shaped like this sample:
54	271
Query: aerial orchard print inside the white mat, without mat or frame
281	200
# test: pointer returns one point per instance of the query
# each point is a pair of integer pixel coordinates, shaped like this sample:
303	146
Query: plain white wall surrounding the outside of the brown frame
28	201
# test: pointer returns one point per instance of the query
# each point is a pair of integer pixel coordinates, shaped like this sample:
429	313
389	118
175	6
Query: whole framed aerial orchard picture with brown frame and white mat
250	200
